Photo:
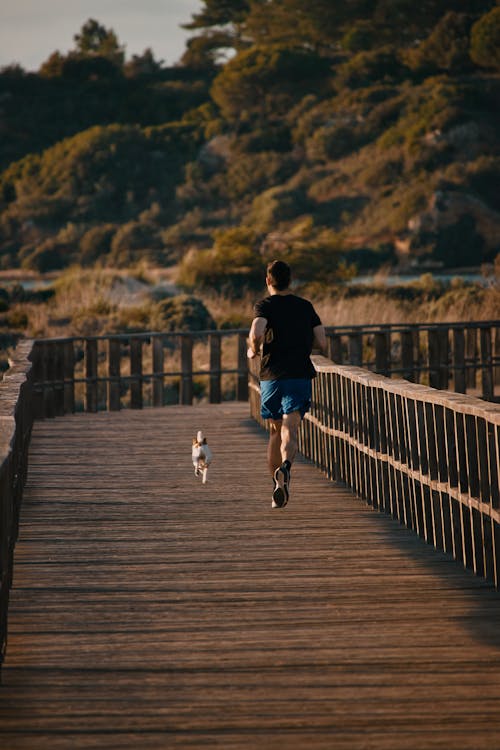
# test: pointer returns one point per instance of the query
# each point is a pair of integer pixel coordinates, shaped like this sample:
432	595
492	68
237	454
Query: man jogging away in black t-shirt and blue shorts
287	327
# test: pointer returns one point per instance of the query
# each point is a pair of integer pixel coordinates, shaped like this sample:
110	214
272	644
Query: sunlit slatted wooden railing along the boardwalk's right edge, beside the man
429	458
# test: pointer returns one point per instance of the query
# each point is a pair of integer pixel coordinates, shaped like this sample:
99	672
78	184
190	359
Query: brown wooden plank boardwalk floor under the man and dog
150	611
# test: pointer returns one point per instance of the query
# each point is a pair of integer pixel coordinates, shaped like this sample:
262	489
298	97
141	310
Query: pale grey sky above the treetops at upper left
30	30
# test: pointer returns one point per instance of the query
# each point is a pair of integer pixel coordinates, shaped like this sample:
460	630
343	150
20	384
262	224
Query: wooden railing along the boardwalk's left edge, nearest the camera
16	419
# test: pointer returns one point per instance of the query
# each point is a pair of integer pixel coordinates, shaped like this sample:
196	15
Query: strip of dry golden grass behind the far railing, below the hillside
100	301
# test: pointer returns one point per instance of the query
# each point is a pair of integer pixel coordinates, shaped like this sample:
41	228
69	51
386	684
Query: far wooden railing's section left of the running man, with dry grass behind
153	369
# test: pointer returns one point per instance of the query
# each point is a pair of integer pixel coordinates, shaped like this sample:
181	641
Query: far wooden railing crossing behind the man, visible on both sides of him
134	370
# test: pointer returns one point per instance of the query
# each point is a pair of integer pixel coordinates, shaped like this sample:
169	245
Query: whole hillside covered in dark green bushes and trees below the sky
341	136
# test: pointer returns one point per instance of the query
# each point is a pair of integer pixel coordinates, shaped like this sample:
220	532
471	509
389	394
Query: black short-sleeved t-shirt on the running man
288	337
